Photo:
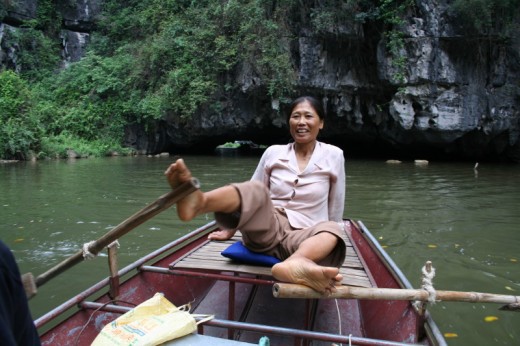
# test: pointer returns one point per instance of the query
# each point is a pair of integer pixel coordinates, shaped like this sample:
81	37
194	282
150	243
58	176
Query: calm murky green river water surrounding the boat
465	222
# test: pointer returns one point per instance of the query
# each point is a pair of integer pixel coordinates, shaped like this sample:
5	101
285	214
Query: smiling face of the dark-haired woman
304	123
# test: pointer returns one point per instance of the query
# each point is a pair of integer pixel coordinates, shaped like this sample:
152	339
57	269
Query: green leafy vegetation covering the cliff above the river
152	59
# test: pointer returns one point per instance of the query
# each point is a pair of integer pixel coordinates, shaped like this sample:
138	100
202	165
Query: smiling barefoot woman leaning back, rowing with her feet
291	209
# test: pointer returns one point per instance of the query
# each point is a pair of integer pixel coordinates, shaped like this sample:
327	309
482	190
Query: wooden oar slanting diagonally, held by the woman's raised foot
162	203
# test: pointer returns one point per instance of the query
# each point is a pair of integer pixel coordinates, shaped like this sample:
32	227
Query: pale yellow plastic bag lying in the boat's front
152	322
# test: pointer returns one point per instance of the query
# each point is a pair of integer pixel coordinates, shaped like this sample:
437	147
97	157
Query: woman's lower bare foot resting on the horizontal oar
303	271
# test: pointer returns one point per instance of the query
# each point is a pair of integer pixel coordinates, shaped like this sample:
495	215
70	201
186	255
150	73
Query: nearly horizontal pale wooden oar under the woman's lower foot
285	290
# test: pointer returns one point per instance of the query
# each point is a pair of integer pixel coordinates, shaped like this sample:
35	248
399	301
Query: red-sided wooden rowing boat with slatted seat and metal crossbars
190	269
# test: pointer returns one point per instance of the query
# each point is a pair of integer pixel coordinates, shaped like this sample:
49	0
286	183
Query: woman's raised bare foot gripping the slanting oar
191	205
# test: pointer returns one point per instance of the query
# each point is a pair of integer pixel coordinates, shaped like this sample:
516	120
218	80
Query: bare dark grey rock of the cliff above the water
457	97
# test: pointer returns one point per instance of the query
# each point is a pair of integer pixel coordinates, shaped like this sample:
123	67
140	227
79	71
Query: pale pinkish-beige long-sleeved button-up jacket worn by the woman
314	195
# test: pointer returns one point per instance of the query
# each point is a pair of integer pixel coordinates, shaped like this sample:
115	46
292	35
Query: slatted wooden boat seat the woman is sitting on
208	258
